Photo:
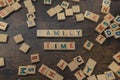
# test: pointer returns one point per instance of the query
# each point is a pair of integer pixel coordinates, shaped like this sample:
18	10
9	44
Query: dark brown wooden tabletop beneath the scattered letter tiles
17	24
